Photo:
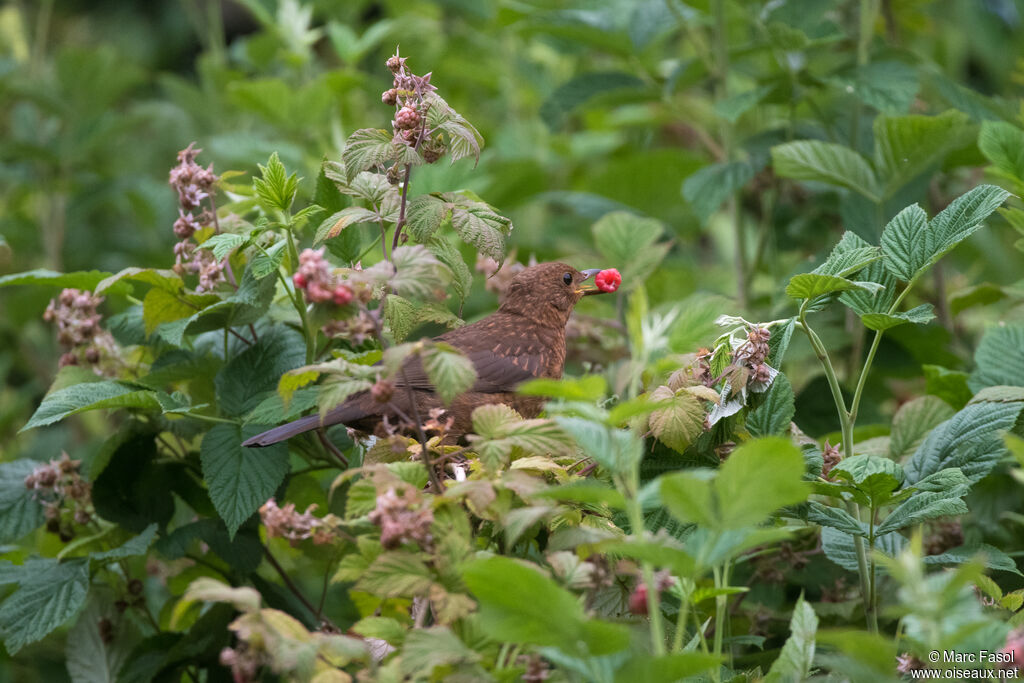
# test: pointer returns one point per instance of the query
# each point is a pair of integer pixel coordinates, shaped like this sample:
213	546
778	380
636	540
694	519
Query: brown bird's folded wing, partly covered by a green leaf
498	370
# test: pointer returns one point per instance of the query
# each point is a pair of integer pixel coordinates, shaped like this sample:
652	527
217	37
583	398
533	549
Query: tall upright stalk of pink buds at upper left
194	184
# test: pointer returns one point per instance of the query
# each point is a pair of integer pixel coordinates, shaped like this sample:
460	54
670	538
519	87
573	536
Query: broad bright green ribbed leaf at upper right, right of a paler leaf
906	147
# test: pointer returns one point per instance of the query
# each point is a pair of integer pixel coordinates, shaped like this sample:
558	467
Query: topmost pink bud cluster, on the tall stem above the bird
408	96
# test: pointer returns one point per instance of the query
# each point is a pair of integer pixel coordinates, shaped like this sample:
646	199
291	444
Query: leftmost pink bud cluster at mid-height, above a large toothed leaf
74	314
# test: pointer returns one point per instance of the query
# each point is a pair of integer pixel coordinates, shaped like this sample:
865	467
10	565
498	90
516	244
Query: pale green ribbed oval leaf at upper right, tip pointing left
826	162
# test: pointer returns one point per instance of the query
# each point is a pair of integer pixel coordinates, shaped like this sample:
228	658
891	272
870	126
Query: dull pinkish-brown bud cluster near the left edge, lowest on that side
66	497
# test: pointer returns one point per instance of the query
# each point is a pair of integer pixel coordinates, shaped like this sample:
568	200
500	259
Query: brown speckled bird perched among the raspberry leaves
523	340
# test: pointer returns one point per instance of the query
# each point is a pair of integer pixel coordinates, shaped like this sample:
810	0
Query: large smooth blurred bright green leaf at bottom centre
519	605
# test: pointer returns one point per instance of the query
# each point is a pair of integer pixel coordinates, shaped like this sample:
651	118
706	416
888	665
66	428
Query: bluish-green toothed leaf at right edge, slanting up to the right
969	441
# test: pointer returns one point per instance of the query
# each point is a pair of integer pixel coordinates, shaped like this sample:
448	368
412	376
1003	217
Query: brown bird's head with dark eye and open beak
548	292
